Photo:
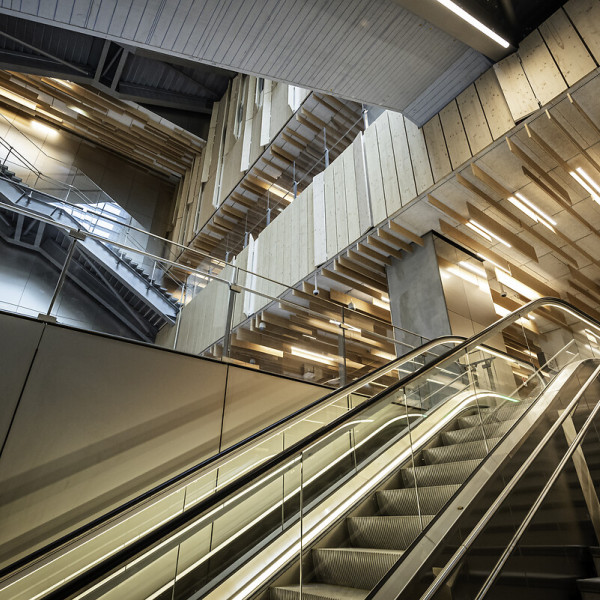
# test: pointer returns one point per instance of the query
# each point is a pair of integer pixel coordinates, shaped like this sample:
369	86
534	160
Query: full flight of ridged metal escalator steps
375	541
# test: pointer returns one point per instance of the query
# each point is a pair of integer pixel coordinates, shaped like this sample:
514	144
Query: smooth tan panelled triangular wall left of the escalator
88	421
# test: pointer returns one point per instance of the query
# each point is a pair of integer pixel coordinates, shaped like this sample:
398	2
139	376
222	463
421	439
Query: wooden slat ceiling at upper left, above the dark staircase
123	127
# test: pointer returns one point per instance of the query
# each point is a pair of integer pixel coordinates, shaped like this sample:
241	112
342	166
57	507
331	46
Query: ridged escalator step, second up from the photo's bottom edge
353	567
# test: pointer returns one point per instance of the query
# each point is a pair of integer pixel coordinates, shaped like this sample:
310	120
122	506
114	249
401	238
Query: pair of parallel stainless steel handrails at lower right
447	570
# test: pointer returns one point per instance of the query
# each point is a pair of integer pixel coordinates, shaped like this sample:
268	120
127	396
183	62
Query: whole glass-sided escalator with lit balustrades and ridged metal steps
384	499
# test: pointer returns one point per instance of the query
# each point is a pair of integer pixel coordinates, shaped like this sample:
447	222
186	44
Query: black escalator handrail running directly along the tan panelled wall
215	460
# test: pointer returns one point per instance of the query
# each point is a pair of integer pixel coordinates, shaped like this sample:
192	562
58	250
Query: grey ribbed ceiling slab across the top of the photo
376	52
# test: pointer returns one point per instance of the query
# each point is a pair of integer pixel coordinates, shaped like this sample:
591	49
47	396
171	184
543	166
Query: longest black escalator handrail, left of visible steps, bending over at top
182	520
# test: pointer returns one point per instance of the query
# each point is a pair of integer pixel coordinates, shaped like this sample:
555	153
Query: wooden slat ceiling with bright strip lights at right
555	252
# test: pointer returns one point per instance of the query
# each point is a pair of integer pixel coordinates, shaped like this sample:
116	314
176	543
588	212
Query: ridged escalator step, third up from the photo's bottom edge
389	533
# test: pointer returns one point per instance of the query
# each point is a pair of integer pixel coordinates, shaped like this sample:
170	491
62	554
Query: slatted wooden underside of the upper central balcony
297	151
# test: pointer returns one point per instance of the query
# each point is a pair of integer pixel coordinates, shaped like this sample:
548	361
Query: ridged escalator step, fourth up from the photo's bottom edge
404	501
